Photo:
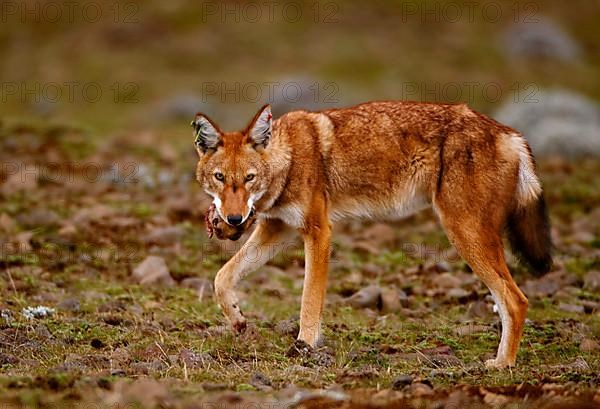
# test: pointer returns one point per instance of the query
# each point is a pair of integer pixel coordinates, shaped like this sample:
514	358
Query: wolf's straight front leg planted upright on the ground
317	239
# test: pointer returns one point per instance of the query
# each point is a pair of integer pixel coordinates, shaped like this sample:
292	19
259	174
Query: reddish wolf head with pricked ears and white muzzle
233	166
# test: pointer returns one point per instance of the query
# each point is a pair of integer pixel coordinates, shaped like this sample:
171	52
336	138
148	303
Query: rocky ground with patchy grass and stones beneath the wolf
107	296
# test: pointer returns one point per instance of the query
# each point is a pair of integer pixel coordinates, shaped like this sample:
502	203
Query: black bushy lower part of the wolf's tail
528	229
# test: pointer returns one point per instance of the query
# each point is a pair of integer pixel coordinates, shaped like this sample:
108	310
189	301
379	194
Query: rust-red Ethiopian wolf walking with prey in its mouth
387	159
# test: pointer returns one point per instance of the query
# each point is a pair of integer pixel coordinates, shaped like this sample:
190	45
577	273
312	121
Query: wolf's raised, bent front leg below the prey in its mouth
267	240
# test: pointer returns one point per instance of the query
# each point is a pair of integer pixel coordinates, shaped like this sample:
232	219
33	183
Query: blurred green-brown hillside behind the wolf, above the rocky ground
107	66
